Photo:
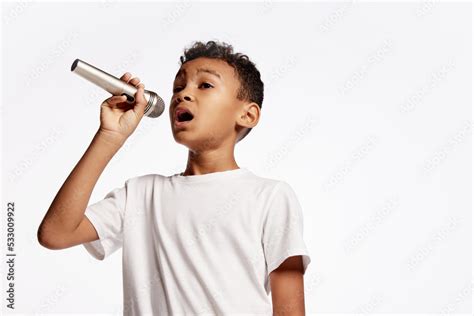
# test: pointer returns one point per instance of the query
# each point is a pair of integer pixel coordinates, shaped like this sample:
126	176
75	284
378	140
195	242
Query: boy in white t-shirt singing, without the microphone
215	238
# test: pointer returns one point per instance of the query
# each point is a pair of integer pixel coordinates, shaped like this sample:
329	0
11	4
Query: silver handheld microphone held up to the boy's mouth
115	86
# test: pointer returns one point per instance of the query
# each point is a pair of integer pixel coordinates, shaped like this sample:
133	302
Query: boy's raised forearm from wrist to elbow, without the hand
67	209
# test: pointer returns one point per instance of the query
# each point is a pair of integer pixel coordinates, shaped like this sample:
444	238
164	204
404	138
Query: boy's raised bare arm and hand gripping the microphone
65	224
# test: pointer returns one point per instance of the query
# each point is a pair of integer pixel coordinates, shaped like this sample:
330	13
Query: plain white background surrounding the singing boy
367	115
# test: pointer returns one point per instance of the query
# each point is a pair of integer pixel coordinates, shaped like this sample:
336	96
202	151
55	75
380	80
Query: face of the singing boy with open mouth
207	88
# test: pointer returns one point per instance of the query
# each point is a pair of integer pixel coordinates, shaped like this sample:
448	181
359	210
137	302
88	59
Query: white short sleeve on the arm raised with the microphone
107	217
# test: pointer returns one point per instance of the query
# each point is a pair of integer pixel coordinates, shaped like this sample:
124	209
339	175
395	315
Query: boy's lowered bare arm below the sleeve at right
287	287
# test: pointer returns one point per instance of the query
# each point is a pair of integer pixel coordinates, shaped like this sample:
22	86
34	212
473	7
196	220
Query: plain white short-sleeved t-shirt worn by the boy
201	244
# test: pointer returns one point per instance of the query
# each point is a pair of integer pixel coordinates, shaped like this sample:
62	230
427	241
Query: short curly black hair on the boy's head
251	86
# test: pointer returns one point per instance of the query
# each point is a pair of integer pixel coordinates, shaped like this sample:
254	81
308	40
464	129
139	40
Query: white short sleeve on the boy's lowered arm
283	228
